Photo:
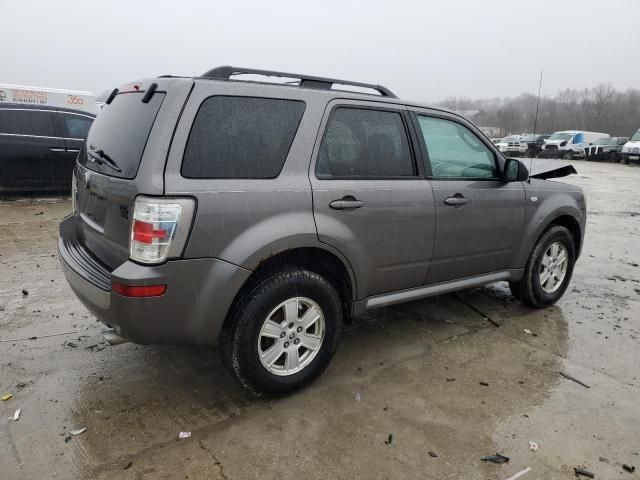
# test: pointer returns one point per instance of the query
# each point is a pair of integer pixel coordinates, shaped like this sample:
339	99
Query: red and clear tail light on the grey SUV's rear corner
160	228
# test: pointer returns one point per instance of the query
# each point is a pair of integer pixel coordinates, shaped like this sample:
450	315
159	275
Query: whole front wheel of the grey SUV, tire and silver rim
549	269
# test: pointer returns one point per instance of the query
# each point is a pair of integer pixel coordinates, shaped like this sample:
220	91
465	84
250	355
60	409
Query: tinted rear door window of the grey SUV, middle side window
361	143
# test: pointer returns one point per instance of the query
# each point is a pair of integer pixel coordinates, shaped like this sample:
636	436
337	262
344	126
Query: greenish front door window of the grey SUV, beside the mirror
454	151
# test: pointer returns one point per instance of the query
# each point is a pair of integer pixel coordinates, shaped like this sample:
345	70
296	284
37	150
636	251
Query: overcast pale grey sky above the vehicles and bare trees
422	50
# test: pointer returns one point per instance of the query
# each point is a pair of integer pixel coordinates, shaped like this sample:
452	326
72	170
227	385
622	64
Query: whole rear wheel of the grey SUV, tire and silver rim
283	332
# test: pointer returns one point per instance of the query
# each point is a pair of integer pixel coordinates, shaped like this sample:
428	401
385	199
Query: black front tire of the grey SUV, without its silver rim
528	290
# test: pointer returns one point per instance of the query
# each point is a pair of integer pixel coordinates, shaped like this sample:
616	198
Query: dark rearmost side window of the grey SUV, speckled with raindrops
241	137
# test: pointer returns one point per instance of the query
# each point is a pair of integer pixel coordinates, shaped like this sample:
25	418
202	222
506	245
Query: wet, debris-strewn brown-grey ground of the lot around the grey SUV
421	390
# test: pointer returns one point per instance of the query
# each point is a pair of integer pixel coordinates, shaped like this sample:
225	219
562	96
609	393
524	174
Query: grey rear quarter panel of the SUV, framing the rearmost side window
244	221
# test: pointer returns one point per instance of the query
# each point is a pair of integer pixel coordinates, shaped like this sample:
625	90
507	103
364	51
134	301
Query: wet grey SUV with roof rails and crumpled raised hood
262	216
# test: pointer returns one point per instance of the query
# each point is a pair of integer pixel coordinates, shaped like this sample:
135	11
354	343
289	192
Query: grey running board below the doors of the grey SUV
417	293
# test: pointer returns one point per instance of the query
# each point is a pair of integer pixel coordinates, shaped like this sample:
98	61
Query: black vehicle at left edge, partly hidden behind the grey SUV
39	145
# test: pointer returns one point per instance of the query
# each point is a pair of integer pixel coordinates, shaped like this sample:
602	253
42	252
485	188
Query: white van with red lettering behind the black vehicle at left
51	97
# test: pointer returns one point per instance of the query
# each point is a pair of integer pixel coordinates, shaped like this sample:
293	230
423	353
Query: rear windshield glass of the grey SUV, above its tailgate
119	134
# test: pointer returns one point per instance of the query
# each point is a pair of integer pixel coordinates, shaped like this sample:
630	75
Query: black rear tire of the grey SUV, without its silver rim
240	349
